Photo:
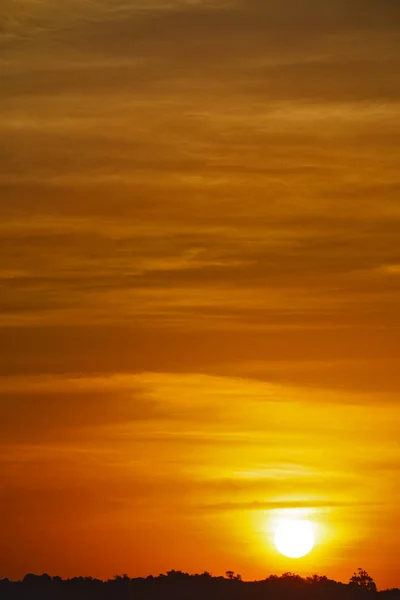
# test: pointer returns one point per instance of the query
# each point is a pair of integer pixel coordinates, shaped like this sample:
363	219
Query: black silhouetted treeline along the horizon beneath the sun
176	585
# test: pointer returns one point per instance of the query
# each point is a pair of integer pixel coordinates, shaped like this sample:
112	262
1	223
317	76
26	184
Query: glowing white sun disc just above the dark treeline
294	538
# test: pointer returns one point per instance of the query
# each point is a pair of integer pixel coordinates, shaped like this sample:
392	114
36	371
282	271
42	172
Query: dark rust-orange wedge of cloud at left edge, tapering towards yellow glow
44	410
